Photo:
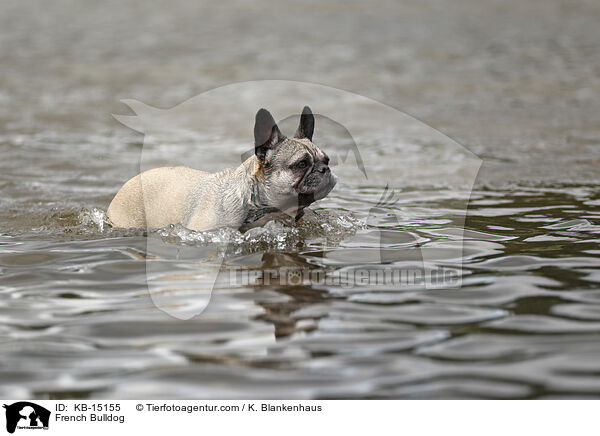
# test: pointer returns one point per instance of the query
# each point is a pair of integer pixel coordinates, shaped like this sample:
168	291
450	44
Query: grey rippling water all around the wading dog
517	85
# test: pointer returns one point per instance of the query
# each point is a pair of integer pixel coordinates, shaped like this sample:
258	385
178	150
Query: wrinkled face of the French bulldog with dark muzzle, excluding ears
297	173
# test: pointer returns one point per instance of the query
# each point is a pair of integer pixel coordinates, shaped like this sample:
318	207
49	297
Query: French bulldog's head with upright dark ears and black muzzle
295	171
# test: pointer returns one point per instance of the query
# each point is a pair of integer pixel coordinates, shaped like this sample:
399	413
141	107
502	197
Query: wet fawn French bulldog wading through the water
282	177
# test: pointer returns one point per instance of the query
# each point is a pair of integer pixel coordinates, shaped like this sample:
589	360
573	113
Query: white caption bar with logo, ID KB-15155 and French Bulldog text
296	416
